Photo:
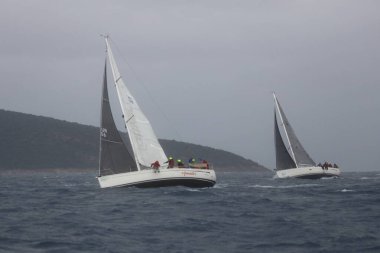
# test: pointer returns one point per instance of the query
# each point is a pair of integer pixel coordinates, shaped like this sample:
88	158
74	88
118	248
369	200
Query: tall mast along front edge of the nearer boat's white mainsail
117	77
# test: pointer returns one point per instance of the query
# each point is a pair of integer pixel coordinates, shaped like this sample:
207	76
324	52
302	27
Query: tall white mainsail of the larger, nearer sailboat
145	145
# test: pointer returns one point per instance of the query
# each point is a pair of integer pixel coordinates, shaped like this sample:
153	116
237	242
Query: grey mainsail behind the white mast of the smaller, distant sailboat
302	158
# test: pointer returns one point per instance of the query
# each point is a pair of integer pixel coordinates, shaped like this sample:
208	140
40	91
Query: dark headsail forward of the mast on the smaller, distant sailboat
283	159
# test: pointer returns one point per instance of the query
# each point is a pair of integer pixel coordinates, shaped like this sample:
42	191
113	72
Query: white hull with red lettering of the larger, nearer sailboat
163	177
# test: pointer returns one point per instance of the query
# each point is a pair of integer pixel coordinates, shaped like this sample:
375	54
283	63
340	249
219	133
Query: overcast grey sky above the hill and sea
204	71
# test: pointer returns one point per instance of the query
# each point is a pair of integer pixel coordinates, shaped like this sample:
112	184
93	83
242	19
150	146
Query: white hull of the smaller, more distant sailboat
308	172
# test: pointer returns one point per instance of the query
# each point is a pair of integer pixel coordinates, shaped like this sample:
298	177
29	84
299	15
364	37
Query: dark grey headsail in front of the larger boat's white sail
114	155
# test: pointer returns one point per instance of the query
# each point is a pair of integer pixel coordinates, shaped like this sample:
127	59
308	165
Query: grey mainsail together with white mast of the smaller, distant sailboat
296	151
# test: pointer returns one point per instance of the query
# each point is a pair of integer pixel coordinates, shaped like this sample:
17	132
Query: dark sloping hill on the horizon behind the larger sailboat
36	142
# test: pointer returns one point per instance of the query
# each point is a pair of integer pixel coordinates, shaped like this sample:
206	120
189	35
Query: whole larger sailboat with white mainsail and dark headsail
127	161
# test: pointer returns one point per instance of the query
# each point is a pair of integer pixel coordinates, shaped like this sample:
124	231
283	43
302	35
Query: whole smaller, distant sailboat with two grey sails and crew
292	160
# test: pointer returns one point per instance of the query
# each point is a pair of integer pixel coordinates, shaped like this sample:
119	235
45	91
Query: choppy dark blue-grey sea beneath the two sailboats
245	212
